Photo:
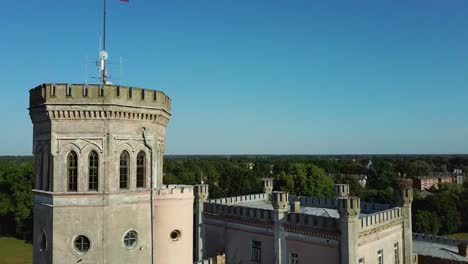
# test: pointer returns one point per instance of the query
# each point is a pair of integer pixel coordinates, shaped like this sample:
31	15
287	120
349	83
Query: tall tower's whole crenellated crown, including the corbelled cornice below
98	102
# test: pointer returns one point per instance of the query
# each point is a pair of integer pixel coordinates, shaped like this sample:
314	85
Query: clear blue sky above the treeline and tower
257	76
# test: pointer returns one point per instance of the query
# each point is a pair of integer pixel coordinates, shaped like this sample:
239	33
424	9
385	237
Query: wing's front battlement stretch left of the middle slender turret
238	211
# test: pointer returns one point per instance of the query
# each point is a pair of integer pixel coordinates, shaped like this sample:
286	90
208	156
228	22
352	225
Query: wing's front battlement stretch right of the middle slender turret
300	220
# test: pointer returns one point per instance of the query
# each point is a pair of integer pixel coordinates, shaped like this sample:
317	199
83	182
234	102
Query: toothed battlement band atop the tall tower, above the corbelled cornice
93	94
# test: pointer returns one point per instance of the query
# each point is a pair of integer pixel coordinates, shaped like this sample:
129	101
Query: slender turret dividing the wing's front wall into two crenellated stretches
280	204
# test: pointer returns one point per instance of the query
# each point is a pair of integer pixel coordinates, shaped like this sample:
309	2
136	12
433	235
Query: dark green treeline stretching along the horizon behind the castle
445	211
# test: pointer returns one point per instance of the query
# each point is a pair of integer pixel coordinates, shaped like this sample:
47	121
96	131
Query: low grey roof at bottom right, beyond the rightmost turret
438	250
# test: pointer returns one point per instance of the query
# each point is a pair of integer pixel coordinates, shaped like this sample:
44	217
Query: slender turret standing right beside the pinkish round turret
201	196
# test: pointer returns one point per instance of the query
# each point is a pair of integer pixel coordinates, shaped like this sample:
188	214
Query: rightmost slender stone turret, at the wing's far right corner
406	198
